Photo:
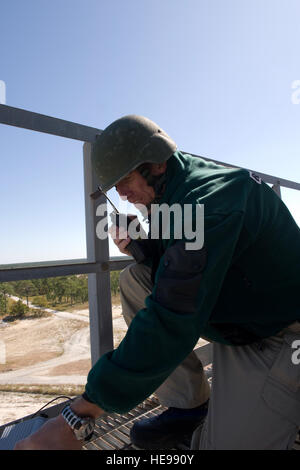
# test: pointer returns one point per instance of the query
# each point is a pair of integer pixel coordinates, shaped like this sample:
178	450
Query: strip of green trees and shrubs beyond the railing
61	293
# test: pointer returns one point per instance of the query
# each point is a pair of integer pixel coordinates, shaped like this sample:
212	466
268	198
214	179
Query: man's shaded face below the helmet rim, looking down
135	189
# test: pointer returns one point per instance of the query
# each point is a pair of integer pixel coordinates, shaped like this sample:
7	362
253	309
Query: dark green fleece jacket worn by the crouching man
241	286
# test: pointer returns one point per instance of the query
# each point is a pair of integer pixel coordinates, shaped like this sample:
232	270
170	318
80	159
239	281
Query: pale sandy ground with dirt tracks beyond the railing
50	351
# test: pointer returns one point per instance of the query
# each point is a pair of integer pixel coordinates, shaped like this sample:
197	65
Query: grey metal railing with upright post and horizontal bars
98	263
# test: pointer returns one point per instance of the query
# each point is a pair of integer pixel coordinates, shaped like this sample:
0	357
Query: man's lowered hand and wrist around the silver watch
56	434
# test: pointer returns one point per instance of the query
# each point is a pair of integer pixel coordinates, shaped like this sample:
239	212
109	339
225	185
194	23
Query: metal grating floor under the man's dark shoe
112	431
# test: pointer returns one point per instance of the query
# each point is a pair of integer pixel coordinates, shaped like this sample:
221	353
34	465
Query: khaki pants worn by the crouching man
255	394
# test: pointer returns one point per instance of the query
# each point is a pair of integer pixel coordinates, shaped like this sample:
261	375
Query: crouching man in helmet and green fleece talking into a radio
239	290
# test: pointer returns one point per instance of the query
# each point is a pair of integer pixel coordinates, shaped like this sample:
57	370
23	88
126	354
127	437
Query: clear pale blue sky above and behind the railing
215	74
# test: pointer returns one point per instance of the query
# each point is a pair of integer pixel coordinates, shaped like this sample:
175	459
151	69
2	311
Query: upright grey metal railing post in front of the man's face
101	329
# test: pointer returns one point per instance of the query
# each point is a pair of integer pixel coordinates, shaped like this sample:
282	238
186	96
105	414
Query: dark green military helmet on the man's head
127	143
